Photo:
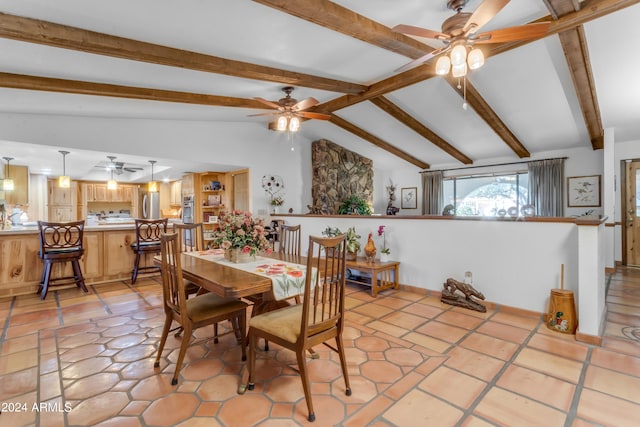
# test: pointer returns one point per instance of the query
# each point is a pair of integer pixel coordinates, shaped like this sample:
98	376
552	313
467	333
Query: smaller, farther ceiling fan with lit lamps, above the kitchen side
289	110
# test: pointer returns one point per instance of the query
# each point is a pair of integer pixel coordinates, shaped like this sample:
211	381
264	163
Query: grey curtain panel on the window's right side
546	187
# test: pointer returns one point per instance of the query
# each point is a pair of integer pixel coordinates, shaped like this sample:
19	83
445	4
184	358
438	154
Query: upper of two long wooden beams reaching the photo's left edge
66	37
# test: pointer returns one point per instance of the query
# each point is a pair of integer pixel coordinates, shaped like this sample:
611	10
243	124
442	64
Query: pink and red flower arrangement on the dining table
239	233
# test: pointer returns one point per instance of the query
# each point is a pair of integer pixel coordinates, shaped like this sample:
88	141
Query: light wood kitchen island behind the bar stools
107	257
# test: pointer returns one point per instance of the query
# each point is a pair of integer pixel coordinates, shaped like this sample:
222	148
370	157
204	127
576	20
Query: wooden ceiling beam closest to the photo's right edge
576	51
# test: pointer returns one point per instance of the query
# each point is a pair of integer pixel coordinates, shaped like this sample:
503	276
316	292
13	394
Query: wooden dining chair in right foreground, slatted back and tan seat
319	319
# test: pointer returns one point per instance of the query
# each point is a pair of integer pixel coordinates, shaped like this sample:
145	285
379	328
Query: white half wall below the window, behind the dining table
513	263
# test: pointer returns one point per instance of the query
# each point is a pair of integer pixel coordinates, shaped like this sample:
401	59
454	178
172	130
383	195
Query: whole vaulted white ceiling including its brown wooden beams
208	60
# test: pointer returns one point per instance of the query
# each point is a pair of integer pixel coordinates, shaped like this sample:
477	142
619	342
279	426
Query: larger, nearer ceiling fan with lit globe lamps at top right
460	33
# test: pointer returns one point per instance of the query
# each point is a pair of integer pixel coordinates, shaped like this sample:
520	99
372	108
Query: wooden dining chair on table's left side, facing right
192	313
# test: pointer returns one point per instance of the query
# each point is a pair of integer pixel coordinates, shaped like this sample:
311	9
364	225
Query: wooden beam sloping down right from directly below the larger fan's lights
487	114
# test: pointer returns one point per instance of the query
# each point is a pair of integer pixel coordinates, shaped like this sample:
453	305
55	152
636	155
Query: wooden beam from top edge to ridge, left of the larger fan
337	18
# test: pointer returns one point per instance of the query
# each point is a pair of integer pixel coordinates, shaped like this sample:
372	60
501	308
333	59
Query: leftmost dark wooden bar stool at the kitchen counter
60	242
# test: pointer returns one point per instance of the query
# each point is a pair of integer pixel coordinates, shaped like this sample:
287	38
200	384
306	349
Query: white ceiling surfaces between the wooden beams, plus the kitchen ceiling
530	87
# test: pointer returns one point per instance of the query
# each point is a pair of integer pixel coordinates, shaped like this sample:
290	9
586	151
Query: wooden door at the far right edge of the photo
630	212
